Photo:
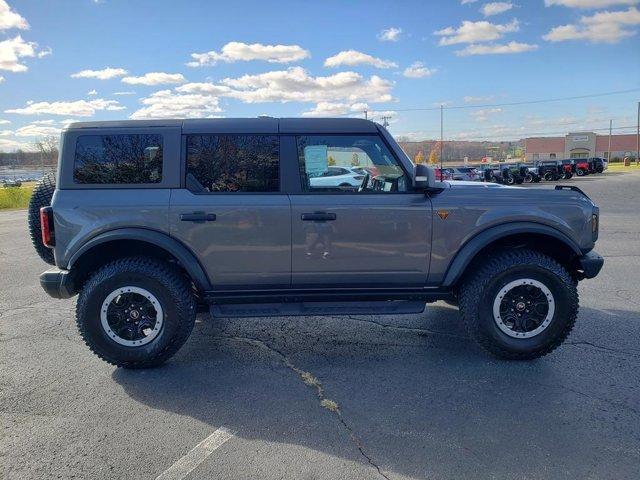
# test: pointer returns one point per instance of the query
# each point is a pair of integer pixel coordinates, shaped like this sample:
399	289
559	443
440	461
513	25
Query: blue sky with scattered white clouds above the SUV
114	59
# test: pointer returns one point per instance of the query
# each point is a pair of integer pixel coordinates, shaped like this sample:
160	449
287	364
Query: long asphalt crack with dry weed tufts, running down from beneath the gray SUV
311	381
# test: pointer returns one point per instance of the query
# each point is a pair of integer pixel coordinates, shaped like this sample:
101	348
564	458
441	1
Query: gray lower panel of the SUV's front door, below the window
376	239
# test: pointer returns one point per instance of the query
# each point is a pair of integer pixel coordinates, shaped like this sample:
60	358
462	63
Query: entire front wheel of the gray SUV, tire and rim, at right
519	305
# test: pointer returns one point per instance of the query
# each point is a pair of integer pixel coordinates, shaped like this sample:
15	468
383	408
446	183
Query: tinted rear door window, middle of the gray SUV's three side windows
232	163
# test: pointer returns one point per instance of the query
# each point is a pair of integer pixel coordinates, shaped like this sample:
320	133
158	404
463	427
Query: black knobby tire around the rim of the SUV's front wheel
477	294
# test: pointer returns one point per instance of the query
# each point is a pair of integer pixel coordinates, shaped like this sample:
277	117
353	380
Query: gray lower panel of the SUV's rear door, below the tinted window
249	243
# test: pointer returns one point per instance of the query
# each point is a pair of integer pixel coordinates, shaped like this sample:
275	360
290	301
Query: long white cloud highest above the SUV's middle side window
239	51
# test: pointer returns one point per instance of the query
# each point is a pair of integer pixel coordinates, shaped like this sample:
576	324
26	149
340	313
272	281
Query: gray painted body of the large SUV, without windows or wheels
259	241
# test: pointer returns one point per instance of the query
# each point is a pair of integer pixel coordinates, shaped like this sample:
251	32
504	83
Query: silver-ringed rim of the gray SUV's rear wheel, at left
149	333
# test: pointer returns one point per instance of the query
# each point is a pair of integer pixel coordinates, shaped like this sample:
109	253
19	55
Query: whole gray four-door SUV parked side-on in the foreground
151	221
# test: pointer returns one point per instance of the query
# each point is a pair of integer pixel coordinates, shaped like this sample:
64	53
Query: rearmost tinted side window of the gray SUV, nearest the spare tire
118	159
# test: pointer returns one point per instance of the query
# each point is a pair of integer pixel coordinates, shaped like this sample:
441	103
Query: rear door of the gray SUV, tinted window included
231	212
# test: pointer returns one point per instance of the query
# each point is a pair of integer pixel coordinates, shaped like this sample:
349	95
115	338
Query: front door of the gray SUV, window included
365	230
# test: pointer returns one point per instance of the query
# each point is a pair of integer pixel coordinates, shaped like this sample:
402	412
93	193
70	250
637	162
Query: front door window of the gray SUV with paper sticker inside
348	163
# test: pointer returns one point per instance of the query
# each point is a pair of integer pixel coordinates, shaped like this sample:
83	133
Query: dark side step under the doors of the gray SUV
390	307
